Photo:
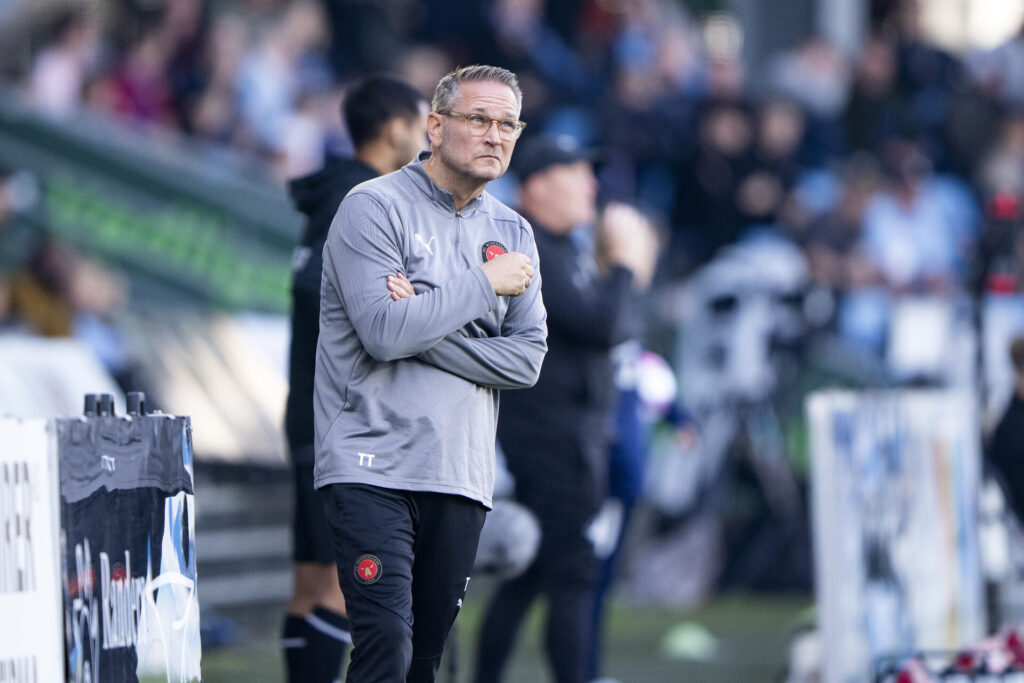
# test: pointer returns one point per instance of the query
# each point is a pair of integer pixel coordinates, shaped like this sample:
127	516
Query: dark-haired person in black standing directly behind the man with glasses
387	120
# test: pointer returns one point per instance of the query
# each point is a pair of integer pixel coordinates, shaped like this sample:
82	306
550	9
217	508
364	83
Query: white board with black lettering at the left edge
31	637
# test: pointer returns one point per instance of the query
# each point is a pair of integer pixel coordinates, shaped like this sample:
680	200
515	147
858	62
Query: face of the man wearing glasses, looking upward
474	140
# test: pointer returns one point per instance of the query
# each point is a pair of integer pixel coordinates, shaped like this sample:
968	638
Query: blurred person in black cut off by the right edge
1006	452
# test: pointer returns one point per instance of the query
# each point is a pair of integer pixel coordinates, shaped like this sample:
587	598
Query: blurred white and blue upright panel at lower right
895	481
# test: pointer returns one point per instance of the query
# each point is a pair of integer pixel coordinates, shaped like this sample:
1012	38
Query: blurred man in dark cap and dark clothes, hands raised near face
557	436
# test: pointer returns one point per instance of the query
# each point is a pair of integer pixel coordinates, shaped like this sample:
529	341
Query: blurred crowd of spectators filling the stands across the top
879	164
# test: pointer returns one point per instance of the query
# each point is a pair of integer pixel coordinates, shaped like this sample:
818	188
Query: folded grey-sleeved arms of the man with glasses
438	326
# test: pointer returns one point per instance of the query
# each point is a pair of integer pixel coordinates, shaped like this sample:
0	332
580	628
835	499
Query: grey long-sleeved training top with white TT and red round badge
407	392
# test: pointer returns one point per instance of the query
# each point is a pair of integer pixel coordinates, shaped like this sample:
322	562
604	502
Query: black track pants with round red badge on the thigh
404	565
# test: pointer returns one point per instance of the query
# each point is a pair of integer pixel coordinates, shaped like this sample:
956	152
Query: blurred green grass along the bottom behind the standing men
735	639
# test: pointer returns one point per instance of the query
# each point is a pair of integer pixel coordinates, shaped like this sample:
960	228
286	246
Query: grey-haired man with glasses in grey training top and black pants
430	306
